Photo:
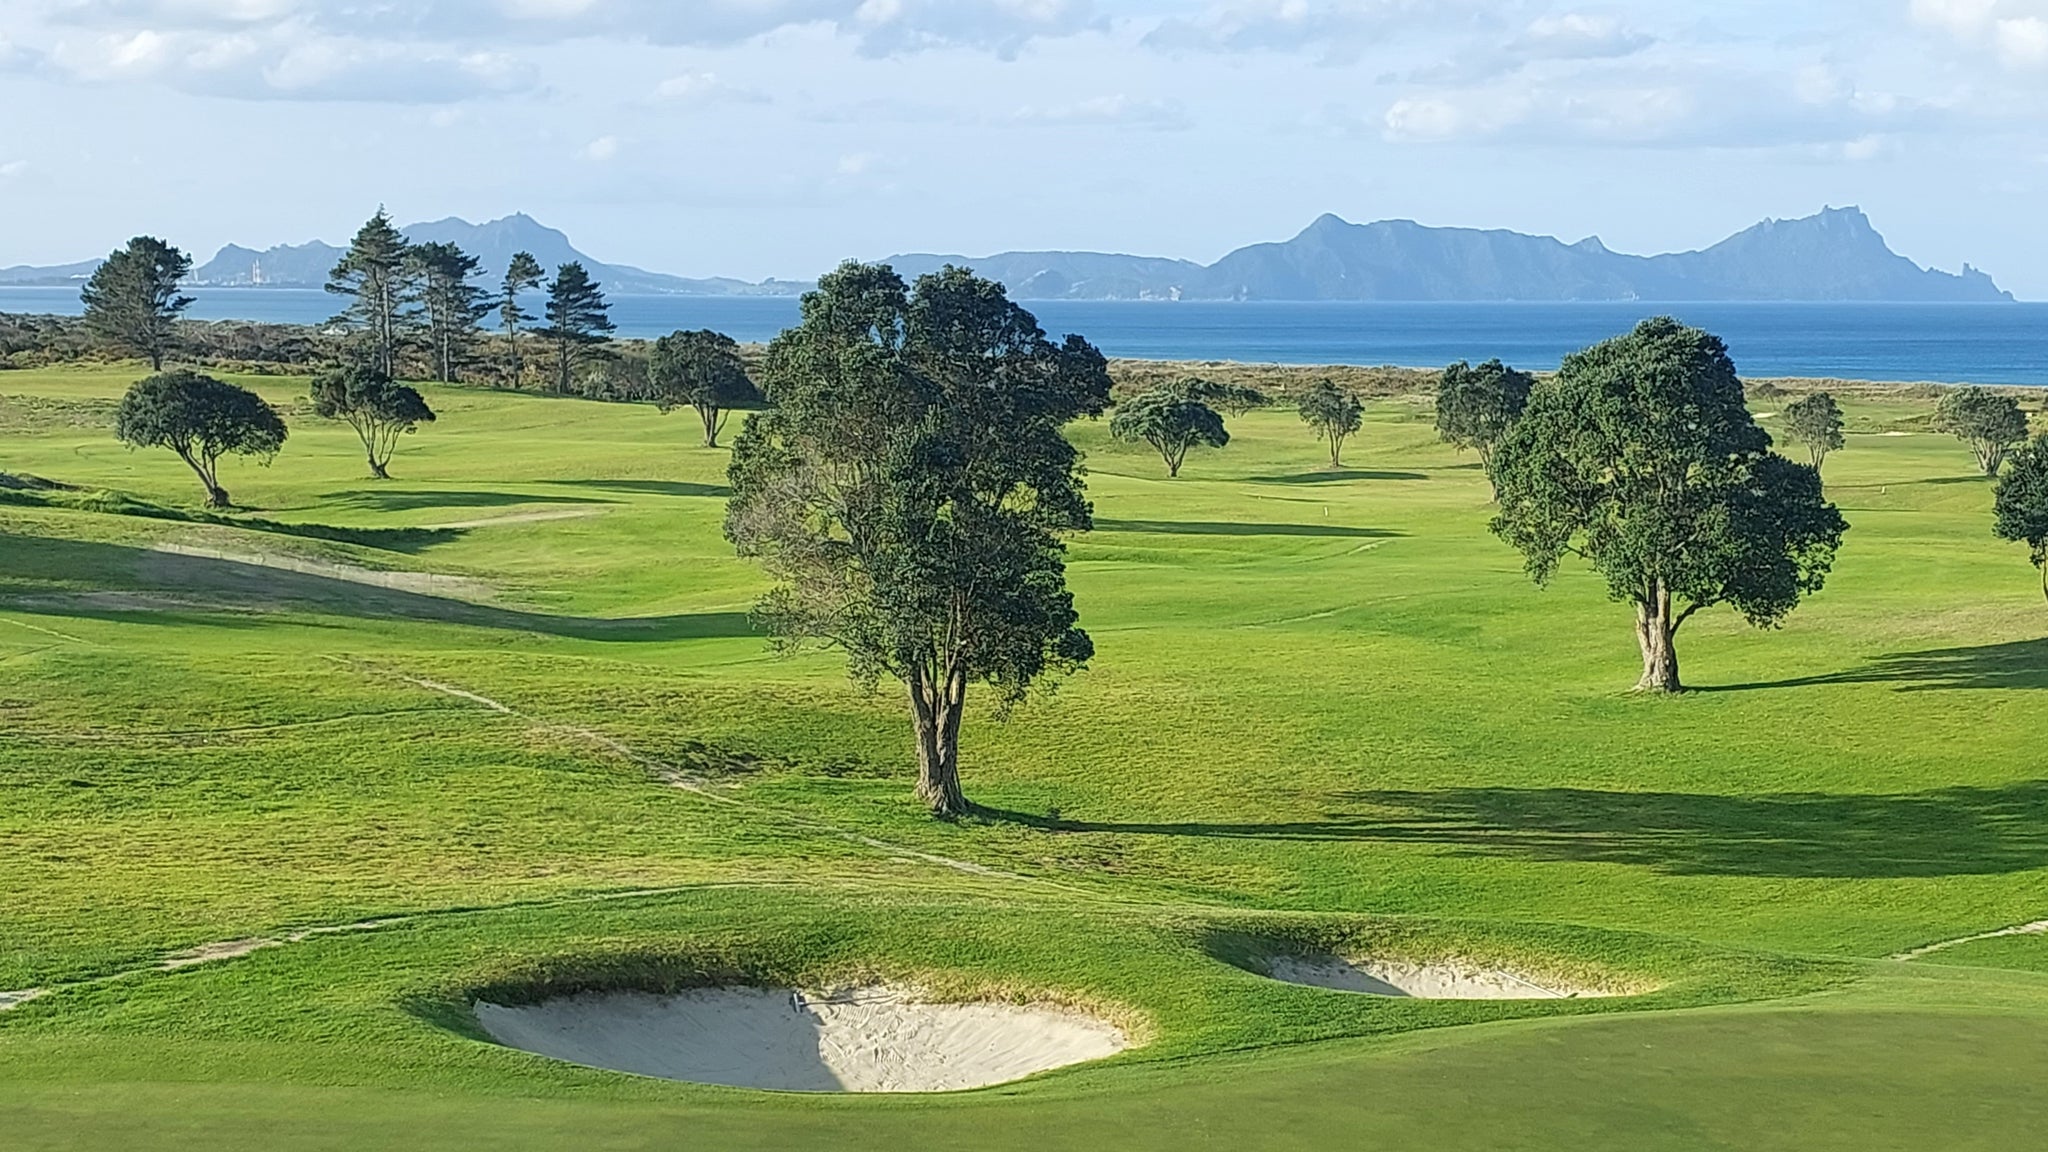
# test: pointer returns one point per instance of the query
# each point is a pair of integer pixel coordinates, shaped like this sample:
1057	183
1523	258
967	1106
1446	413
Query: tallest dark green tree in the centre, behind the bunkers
910	491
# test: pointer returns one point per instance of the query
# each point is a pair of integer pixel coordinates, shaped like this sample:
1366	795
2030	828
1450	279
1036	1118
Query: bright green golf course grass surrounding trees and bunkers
423	739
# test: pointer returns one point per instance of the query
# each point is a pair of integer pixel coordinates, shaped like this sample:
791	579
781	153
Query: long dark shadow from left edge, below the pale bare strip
142	583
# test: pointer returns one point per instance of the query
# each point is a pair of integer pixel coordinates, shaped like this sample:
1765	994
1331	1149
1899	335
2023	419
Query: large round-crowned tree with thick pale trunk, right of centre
1641	458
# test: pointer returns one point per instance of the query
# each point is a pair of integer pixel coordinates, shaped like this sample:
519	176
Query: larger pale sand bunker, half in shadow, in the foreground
863	1040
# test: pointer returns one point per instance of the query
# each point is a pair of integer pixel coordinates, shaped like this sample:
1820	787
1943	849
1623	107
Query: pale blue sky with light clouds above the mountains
775	138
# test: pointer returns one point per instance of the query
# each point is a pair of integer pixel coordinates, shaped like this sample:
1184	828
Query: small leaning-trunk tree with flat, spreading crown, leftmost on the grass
202	419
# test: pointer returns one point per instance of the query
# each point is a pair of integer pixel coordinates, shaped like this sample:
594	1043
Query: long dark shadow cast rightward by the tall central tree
1957	831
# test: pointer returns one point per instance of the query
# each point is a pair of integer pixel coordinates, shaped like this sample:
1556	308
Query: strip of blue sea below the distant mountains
1965	343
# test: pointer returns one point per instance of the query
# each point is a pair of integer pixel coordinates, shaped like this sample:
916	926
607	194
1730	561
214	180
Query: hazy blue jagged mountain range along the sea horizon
1828	257
